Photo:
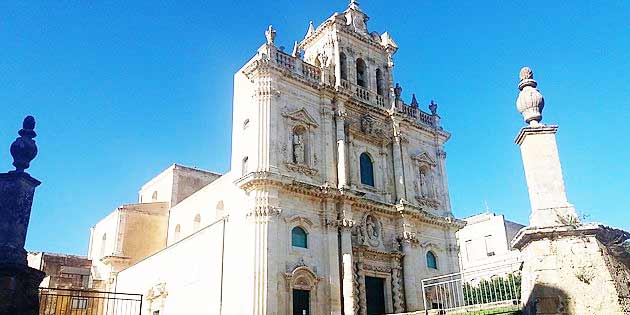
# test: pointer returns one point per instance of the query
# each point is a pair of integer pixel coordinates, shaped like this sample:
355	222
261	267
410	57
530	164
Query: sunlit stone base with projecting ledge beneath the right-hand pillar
574	270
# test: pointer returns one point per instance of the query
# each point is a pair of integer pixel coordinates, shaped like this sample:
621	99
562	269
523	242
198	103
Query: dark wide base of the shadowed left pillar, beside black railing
19	294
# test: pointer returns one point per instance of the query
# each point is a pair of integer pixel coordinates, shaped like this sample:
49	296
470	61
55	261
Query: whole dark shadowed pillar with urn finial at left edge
18	282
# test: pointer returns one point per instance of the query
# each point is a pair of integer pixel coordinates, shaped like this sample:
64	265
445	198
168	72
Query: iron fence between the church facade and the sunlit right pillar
487	290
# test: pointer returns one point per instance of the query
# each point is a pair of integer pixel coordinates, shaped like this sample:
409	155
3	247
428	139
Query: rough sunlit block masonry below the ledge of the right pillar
563	274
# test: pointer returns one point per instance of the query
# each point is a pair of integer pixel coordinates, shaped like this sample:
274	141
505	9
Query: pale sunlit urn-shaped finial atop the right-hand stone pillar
530	102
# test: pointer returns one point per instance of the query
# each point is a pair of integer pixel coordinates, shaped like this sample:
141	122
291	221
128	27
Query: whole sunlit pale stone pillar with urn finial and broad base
569	267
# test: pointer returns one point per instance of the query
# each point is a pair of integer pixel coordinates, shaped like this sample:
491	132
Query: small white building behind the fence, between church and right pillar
485	242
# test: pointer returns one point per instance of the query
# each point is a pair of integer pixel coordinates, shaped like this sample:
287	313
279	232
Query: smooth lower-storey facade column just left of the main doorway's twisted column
349	302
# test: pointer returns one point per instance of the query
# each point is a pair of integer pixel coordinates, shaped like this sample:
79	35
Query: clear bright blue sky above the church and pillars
122	90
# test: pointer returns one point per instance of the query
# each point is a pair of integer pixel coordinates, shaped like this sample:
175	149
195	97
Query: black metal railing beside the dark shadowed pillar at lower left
87	302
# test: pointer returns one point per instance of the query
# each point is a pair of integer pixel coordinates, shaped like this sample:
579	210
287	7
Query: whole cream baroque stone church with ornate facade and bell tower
336	202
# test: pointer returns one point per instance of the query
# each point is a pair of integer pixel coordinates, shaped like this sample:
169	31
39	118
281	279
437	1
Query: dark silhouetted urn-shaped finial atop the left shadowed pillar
24	149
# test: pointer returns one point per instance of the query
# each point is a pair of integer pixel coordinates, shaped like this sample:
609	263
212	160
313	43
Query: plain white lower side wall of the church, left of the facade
189	272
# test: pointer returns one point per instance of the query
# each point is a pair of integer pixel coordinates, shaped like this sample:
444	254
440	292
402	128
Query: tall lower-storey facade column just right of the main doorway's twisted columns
410	260
